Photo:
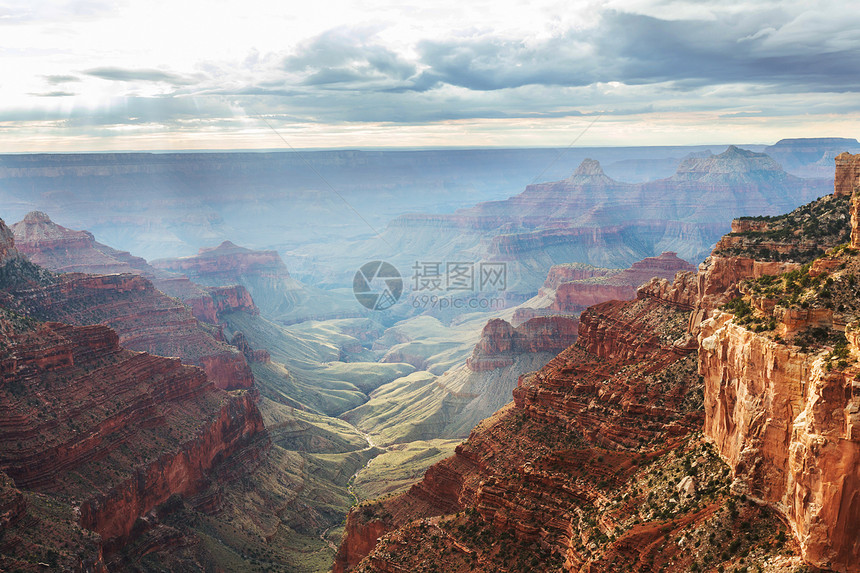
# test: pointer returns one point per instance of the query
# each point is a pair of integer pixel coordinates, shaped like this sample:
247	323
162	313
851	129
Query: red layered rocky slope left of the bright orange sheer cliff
597	466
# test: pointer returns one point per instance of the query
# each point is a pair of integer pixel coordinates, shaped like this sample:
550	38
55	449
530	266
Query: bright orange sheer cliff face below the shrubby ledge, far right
789	430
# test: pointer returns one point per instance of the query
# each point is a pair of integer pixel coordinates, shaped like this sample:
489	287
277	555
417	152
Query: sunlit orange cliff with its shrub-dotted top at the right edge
781	400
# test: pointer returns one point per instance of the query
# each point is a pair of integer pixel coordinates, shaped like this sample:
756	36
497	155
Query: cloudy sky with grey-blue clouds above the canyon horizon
85	75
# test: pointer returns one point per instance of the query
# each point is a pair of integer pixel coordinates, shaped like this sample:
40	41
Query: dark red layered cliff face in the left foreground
114	431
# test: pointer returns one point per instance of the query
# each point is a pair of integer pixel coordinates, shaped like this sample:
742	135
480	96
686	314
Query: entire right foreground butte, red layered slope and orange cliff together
711	424
